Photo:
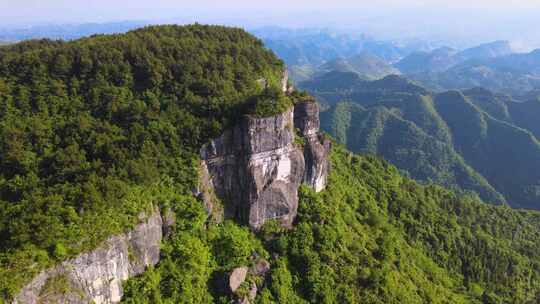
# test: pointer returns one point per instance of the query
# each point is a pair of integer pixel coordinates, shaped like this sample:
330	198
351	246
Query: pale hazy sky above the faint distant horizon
21	11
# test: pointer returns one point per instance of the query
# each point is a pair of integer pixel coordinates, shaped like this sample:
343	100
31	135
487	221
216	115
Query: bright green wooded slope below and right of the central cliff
372	236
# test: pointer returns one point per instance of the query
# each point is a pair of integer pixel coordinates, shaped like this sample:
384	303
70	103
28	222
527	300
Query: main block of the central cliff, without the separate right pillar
256	169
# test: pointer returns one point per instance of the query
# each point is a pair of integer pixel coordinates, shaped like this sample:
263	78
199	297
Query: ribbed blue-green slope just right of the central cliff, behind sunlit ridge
404	144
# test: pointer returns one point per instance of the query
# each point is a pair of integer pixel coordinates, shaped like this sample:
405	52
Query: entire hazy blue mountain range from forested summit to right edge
494	65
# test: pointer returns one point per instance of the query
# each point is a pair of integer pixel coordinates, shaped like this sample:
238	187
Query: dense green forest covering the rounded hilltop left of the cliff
95	131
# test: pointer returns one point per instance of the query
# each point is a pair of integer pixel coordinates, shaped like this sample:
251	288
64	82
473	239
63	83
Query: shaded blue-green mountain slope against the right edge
495	149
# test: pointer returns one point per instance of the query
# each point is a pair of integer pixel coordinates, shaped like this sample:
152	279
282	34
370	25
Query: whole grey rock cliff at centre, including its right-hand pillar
256	168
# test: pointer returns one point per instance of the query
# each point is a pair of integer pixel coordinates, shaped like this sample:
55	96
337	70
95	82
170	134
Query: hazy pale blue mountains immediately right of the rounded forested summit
309	53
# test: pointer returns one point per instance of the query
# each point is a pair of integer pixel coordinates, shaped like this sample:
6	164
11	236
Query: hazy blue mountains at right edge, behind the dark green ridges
493	65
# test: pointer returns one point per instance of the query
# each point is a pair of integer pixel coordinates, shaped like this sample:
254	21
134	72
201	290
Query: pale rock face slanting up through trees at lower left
97	276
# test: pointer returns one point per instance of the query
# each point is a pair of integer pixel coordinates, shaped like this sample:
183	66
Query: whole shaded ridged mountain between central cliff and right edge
470	139
